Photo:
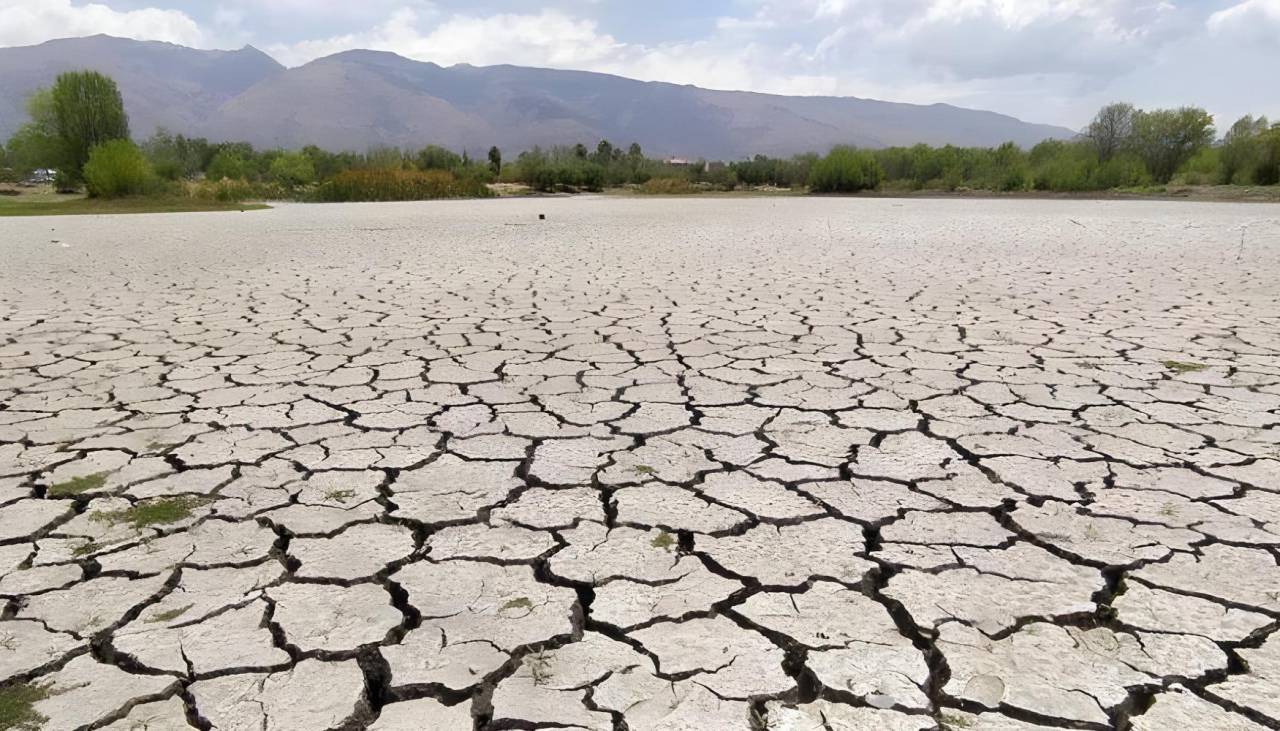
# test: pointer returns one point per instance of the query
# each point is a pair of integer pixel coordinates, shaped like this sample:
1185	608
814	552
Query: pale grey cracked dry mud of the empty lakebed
783	464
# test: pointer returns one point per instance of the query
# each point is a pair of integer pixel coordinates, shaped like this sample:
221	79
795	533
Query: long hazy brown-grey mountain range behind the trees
356	99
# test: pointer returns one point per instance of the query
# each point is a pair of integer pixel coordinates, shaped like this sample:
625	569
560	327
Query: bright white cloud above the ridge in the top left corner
29	22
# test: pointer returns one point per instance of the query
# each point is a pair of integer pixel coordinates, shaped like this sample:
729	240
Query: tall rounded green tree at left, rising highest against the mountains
85	111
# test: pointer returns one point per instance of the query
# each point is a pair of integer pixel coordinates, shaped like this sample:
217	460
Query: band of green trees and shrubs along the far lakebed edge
80	129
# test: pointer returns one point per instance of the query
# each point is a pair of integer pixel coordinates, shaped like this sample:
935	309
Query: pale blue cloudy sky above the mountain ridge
1043	61
